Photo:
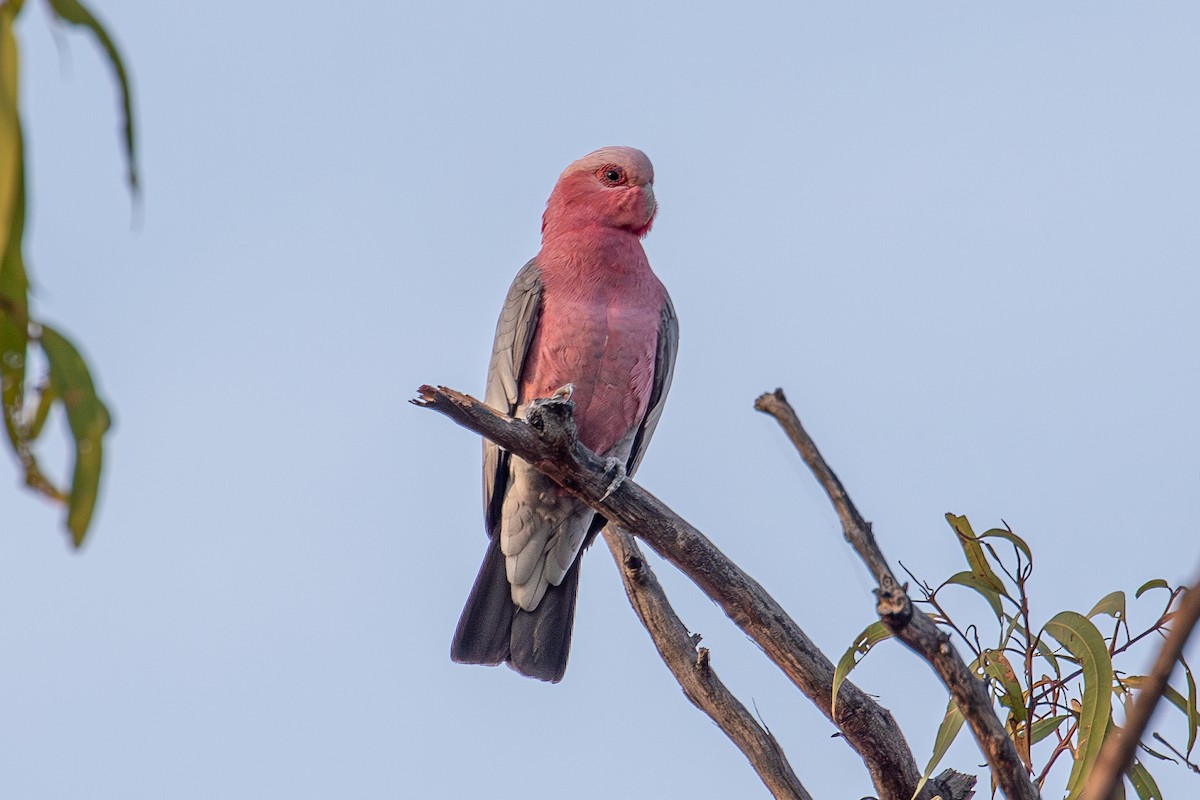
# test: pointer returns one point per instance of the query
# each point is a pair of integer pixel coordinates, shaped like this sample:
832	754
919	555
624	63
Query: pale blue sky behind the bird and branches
963	239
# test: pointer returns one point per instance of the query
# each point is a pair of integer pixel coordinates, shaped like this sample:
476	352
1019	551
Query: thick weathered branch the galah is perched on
550	444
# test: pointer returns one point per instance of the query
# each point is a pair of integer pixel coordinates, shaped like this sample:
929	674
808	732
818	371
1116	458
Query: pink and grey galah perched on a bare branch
586	312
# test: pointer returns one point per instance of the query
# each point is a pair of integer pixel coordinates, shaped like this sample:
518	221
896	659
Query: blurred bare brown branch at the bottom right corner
1117	756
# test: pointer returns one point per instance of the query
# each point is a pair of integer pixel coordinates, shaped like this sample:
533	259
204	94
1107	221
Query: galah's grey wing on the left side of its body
514	333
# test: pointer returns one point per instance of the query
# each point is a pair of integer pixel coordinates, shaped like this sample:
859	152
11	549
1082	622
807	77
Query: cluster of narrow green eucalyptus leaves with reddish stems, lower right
1055	685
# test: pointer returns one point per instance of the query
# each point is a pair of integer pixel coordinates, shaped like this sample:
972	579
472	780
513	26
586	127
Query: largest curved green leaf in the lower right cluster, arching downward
1083	641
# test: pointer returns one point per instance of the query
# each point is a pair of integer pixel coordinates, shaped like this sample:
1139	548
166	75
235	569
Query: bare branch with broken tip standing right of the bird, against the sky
910	625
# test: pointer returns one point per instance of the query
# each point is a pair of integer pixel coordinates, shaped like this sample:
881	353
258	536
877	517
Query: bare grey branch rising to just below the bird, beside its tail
692	669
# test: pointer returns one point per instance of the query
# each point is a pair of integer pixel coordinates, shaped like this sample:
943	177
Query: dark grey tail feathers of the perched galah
493	629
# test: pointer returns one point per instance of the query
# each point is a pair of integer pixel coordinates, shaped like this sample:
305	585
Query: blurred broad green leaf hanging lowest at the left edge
71	382
